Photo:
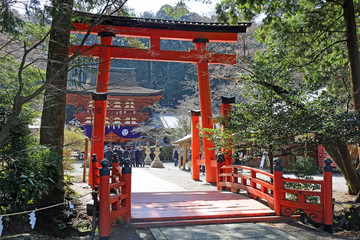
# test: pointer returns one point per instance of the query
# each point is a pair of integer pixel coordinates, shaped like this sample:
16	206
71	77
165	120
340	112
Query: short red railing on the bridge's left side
114	187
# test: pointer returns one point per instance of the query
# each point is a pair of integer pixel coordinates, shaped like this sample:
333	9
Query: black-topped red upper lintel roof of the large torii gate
165	29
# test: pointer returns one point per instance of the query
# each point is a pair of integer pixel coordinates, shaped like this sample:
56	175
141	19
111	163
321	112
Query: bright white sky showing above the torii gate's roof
154	5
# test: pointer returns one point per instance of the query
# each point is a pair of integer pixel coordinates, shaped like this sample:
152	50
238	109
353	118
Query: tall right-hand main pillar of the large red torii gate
205	106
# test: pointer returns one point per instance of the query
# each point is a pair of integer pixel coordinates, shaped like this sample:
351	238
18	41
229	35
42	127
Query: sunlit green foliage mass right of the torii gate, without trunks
299	85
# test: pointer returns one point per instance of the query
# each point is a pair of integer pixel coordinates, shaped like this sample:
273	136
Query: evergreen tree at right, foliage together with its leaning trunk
310	45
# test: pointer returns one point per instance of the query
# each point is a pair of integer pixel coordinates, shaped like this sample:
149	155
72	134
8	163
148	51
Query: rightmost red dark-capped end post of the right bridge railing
328	203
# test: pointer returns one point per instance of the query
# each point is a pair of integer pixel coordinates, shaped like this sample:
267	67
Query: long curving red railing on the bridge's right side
280	196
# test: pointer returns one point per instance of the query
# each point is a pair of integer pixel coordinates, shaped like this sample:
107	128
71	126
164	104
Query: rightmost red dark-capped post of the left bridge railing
126	176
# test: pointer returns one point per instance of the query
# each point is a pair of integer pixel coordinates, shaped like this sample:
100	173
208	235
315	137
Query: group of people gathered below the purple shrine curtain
136	156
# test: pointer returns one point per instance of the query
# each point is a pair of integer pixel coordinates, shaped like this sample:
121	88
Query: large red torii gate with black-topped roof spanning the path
108	27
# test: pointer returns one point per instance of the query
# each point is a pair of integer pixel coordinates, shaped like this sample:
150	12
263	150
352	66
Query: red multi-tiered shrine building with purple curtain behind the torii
125	106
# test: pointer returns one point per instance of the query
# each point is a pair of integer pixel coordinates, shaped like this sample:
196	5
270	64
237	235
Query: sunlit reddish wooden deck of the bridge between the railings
190	205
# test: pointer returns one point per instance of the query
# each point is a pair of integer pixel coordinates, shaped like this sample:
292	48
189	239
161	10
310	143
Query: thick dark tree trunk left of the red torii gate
53	115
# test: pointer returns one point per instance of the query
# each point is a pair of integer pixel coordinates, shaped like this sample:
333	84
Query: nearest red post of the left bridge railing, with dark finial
104	206
